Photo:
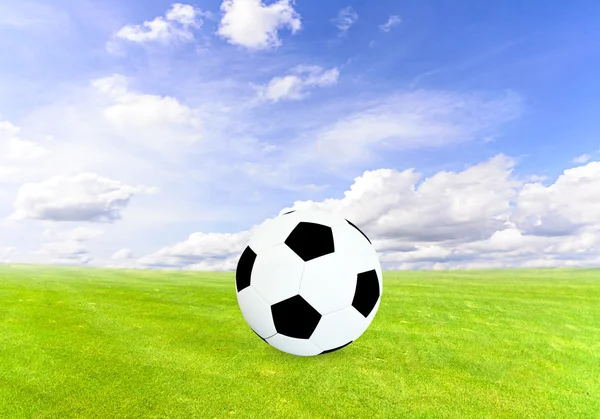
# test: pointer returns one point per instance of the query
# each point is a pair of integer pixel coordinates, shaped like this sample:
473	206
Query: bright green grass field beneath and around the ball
95	343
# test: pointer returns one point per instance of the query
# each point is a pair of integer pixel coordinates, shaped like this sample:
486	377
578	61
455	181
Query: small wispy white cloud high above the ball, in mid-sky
296	85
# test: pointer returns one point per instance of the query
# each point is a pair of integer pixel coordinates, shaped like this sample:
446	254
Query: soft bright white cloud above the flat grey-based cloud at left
155	121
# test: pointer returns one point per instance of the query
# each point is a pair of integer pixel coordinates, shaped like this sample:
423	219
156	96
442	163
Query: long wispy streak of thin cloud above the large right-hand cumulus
414	120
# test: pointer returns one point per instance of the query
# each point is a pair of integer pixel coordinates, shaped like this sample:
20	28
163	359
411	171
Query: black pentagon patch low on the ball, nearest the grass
295	318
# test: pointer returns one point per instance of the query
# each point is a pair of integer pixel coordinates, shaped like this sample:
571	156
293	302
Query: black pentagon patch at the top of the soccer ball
310	240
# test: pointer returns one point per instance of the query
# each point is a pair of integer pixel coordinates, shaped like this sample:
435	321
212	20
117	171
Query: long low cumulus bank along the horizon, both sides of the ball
480	217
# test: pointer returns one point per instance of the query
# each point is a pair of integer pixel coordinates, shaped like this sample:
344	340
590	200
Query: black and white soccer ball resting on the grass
309	282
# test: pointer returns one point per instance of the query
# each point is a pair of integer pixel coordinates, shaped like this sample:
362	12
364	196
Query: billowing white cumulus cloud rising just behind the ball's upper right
448	206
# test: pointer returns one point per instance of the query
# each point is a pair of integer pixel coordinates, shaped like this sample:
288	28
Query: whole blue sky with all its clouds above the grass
164	147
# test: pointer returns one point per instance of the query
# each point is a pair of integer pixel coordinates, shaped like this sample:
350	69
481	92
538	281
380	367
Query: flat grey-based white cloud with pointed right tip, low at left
84	197
